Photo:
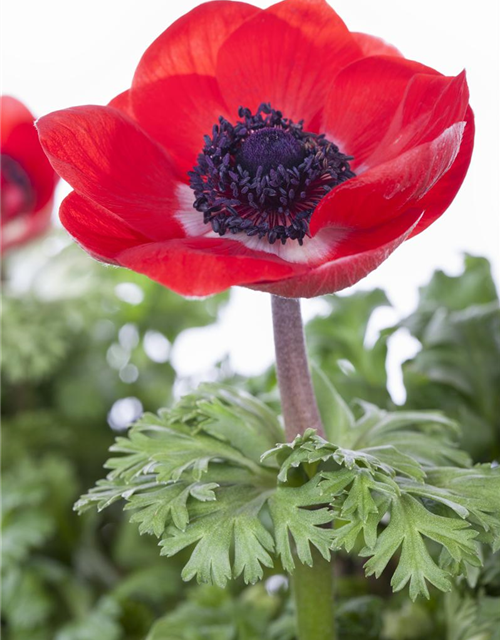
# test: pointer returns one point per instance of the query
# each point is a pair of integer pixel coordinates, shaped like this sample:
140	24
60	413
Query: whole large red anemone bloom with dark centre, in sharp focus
267	148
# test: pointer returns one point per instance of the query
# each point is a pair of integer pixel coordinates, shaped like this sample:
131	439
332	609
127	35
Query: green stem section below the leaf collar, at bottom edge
314	600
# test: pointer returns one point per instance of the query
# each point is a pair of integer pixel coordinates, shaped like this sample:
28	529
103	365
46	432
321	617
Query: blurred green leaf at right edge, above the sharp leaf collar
458	368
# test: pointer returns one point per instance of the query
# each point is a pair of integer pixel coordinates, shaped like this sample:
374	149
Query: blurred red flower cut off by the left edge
27	181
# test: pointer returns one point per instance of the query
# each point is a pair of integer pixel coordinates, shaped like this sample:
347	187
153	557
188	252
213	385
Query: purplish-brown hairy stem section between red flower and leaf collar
298	401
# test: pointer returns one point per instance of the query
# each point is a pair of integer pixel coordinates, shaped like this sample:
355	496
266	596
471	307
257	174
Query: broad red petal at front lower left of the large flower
204	266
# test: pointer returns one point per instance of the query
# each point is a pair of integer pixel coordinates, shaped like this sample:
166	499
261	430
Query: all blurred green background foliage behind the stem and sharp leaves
74	343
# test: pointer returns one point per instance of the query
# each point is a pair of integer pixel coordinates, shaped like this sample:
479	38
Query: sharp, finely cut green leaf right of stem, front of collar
453	507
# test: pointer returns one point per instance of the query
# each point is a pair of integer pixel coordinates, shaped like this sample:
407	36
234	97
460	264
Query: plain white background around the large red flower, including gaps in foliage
59	53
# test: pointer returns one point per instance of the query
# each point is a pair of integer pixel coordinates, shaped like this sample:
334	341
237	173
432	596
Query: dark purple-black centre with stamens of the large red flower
264	176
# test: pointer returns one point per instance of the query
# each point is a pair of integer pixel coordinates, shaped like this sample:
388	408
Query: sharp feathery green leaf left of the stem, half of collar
191	476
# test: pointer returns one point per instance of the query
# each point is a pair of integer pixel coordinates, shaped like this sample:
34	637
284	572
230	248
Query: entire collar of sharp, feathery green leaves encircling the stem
208	475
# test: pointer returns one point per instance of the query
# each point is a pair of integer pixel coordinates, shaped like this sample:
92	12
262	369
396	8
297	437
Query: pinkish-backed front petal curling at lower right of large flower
361	253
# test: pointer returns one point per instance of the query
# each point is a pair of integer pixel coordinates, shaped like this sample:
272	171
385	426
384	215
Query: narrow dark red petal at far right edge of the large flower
439	198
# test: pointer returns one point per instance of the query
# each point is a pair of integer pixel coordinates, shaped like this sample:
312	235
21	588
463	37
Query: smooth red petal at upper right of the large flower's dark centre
363	101
